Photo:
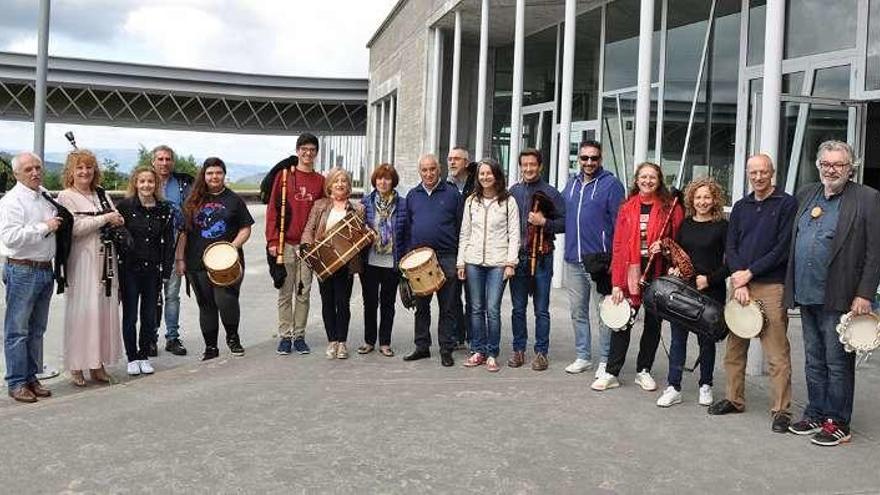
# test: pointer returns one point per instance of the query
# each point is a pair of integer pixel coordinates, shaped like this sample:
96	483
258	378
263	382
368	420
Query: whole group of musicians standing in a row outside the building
816	251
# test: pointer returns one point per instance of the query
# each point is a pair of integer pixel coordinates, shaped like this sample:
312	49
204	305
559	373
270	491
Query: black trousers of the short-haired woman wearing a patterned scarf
379	288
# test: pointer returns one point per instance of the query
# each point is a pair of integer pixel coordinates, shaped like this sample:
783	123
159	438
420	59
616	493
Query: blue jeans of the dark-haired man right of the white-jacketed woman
520	287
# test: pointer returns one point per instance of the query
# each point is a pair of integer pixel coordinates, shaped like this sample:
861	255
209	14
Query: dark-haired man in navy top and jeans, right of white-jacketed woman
534	273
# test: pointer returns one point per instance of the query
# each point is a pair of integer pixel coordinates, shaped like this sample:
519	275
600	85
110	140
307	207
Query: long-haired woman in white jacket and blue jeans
487	256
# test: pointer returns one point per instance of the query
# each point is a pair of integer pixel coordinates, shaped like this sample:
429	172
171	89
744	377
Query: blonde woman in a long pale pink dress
91	316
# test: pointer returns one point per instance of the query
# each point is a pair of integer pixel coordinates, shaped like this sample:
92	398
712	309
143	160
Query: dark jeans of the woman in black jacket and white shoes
139	288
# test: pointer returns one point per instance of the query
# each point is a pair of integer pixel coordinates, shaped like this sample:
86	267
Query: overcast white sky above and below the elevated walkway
287	37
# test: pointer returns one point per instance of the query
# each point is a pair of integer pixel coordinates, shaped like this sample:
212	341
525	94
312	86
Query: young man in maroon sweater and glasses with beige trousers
304	187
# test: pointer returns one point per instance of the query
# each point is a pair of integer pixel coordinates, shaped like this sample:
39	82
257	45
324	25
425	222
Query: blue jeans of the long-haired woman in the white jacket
486	286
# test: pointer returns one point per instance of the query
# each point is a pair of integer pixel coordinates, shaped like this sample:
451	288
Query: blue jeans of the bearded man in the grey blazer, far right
829	368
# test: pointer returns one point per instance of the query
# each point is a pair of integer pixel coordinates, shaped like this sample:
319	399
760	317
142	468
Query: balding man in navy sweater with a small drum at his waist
433	210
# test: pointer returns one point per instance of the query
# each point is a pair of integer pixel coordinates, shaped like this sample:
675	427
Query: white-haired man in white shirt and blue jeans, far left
27	239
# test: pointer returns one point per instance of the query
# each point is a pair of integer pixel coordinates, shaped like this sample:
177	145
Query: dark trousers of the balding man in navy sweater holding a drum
446	300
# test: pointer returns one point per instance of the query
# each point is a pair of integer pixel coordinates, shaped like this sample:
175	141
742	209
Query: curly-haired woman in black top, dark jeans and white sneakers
702	236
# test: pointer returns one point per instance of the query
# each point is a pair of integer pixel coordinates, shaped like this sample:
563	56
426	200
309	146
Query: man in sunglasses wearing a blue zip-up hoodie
592	198
